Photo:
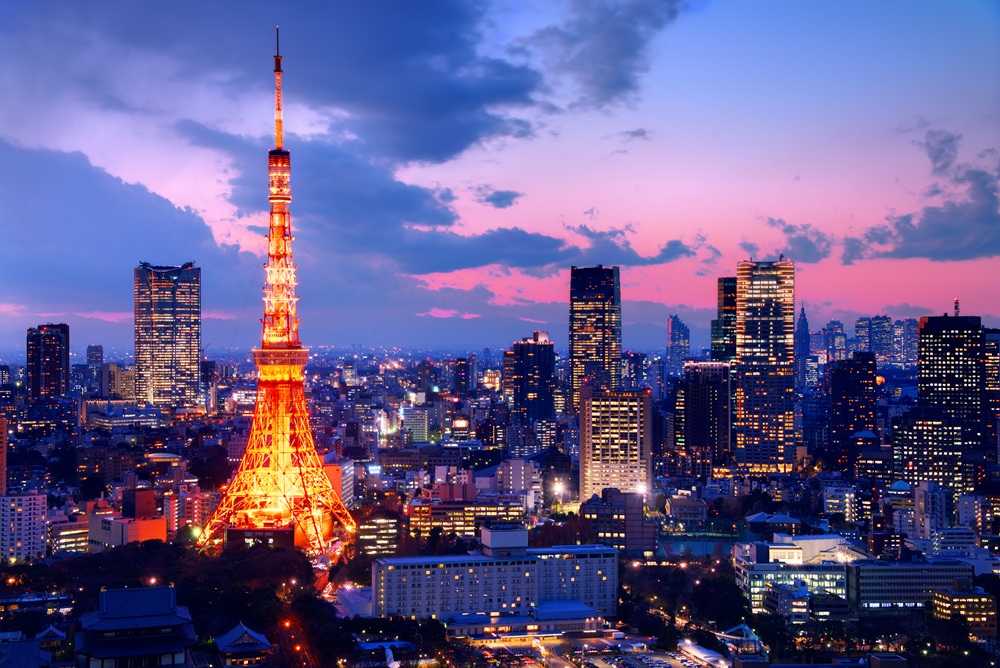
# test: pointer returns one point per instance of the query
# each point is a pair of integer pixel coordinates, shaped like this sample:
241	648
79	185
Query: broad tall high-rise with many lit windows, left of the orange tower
167	334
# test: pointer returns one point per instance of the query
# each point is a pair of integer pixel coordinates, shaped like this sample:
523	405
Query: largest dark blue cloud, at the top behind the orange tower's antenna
407	76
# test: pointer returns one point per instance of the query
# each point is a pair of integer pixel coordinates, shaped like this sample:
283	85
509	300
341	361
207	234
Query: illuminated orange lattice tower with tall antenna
280	490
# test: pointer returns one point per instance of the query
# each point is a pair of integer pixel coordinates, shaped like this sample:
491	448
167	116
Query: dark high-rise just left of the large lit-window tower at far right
852	407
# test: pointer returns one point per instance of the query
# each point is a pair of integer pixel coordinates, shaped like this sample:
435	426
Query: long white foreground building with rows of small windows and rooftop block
506	579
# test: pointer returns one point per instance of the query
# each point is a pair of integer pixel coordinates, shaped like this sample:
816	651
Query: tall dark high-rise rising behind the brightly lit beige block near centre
595	330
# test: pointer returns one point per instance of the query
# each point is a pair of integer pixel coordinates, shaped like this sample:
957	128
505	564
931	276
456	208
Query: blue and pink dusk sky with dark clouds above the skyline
452	160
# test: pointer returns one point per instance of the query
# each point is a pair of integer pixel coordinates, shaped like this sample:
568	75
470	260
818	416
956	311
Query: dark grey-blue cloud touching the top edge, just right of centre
602	45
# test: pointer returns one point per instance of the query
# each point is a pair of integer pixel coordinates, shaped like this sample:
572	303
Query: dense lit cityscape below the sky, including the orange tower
794	493
